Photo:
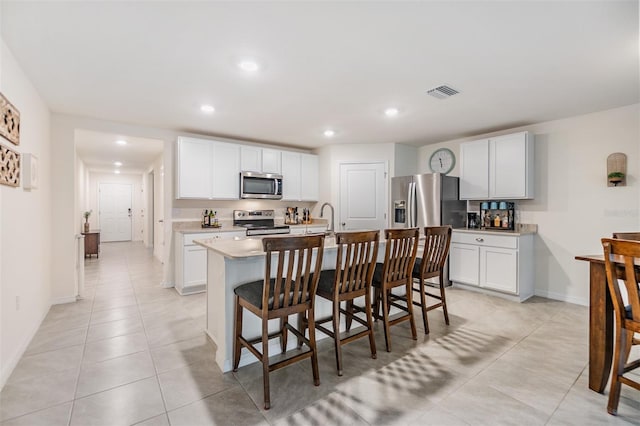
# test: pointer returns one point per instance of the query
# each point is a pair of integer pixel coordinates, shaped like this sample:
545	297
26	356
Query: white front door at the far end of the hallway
115	212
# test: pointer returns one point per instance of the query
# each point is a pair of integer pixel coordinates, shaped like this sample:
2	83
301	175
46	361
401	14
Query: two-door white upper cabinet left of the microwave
207	169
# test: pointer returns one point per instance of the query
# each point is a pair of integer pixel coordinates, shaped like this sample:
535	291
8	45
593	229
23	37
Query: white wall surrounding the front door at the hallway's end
135	180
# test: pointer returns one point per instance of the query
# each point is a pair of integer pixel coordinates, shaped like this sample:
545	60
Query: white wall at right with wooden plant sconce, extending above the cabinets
573	206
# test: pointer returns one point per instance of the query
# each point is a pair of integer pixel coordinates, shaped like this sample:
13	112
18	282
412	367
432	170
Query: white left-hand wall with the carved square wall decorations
25	224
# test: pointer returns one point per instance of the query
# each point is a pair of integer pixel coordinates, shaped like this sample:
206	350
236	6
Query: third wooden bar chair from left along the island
396	271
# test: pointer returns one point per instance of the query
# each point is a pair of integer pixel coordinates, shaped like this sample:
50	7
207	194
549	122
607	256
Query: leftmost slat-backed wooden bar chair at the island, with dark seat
288	288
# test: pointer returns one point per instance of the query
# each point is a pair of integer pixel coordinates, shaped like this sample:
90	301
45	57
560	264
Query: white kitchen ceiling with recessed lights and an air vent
328	64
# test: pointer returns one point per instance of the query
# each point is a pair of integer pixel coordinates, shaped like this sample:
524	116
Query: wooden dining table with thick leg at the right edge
601	330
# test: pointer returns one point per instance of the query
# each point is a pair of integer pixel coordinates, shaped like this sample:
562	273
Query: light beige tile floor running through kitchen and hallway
134	353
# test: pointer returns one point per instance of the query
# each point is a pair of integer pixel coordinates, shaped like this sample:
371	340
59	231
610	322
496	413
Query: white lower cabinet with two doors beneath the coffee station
501	263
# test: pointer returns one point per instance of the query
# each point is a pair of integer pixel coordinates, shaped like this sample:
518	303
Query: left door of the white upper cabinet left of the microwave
194	168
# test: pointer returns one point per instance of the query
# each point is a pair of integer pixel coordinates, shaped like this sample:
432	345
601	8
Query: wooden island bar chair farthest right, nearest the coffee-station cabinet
431	265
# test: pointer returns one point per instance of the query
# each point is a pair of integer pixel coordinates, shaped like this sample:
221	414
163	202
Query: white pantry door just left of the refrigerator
363	196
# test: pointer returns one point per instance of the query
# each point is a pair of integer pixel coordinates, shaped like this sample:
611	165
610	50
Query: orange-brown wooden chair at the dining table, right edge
627	318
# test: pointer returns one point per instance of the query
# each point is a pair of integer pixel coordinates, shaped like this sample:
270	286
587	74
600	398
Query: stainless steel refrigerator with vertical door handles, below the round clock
426	200
